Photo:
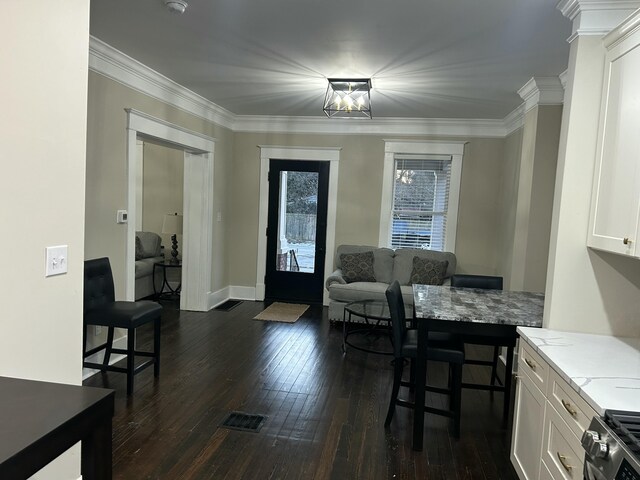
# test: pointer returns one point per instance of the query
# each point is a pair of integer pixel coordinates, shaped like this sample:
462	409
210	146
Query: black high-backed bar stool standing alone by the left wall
101	308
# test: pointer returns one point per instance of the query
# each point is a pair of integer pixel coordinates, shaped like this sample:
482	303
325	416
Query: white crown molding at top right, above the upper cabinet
595	17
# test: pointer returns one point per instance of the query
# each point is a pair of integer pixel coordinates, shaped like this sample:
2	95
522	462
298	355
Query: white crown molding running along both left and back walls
107	61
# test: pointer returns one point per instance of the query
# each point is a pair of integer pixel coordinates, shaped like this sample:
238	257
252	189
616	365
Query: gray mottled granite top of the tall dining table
499	307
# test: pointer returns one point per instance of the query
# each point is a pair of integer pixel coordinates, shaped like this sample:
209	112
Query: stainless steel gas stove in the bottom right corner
612	447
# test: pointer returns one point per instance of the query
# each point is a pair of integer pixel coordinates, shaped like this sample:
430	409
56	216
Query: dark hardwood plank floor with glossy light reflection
325	410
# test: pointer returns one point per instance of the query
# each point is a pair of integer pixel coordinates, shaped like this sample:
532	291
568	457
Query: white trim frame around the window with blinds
421	147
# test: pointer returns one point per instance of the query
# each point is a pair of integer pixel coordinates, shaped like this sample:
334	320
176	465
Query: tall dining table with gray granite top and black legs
494	314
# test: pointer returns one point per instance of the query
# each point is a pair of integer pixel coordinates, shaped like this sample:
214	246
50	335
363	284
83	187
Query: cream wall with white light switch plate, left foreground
44	60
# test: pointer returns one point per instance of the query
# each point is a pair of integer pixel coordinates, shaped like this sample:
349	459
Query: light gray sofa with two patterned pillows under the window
388	265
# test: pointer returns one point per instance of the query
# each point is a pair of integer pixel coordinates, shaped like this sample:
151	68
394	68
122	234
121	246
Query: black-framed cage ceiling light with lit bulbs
348	98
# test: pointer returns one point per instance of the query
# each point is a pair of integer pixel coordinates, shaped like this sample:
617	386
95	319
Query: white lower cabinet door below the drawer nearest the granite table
526	444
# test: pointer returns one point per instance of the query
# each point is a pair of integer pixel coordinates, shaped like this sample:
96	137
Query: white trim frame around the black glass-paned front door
323	154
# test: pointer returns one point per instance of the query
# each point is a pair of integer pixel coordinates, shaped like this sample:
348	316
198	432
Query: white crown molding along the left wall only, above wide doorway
107	61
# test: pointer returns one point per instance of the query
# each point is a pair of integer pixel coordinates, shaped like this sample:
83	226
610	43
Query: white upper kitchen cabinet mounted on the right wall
615	202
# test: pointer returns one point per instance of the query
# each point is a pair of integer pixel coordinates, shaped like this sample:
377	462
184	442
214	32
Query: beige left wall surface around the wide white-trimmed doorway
107	172
